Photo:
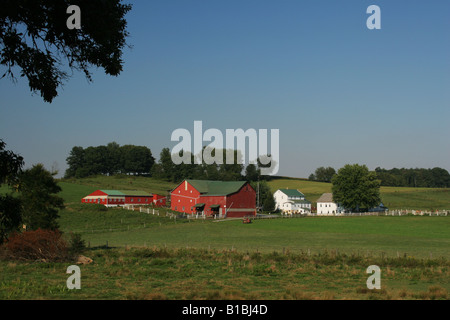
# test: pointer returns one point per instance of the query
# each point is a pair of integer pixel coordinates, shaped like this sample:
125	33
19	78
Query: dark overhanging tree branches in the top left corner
35	38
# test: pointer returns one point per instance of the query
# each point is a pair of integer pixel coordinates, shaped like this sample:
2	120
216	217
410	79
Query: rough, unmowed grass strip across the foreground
192	274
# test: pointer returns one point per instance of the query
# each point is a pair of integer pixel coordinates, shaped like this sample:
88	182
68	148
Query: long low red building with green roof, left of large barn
113	198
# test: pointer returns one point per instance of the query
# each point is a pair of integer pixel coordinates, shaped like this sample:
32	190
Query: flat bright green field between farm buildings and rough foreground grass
420	237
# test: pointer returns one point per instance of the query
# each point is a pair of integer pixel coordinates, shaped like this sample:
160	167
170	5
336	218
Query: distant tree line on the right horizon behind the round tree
419	177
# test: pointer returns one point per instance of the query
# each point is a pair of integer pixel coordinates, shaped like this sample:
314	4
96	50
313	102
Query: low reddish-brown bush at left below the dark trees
38	245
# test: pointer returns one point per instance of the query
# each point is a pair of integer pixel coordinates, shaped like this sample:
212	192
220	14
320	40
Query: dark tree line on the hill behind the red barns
114	159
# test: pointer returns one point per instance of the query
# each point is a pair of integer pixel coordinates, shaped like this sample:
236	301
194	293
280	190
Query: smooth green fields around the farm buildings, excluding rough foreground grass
419	236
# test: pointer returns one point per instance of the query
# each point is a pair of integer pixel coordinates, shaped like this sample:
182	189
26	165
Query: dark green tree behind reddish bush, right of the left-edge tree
40	204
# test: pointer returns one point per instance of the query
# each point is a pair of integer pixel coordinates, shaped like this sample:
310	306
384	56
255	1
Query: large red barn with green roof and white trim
214	198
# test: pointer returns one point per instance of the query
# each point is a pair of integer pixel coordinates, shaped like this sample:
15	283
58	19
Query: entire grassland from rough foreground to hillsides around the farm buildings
156	257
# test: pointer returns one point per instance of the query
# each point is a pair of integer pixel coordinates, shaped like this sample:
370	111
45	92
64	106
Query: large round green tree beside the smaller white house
356	188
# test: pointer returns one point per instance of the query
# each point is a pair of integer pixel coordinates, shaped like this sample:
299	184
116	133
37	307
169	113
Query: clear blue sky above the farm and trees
338	92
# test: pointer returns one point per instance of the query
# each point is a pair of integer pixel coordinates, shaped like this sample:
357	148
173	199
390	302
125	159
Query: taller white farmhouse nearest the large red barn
291	201
